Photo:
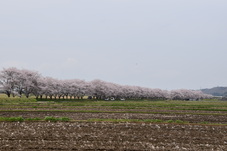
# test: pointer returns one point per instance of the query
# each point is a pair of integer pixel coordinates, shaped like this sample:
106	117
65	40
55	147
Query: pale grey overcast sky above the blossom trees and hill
167	44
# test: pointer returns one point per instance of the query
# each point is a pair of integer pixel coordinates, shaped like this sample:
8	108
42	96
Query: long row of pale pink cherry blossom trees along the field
14	82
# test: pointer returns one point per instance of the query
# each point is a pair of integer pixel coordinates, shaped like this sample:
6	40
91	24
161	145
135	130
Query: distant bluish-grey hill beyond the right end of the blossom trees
216	91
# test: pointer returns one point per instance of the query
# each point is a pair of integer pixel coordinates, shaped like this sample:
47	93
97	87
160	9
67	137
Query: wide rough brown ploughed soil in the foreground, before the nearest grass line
47	136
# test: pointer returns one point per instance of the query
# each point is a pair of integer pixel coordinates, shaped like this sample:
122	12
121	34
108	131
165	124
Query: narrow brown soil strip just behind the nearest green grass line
192	118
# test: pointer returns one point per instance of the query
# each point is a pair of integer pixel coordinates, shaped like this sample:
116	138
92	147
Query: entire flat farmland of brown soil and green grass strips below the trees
113	125
